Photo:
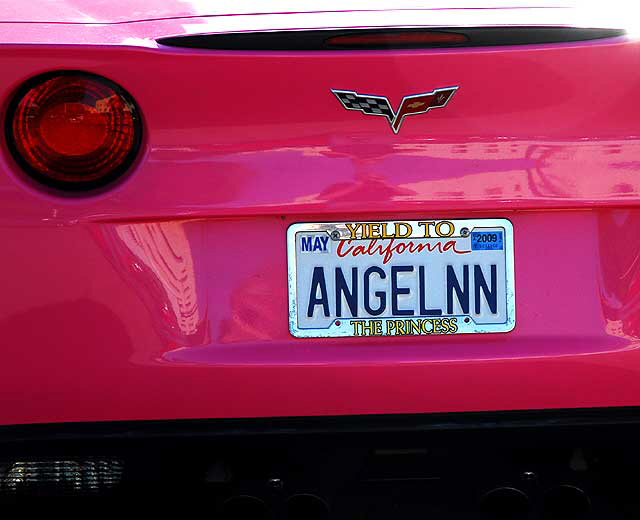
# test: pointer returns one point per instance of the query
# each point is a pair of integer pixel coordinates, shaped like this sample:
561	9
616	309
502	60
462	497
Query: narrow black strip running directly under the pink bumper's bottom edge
356	424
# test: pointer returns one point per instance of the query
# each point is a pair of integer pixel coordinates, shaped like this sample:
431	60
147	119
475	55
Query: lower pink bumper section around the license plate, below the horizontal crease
188	319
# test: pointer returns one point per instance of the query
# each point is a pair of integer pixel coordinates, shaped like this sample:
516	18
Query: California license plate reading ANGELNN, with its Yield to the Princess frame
401	278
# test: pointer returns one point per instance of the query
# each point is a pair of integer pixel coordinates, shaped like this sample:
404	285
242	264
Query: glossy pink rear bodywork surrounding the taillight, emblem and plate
166	296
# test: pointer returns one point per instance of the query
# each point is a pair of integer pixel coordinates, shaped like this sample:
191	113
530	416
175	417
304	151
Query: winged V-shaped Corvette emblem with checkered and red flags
380	106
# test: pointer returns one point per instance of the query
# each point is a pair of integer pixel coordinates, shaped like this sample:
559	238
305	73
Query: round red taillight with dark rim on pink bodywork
73	130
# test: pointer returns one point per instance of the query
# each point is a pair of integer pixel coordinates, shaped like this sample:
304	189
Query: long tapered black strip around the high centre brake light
318	39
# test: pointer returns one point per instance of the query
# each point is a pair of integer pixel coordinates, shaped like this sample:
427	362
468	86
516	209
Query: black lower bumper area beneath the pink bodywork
516	465
